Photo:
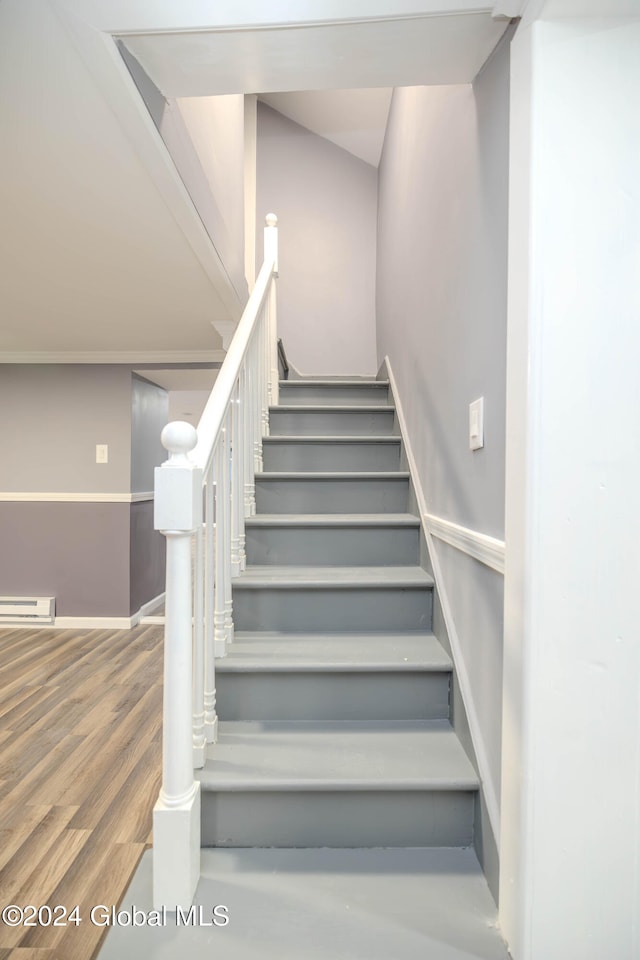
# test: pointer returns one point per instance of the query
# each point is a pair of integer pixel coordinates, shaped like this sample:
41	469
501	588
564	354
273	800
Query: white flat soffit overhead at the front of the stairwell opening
387	52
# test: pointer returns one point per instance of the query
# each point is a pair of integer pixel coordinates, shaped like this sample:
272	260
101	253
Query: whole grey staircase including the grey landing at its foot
337	804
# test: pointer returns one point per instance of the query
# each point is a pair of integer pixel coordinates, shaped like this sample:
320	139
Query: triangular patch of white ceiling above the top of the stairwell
355	120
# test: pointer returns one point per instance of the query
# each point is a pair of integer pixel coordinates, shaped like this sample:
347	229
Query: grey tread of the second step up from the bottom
281	652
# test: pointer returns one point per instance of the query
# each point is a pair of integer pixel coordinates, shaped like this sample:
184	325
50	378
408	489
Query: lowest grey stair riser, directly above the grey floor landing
338	819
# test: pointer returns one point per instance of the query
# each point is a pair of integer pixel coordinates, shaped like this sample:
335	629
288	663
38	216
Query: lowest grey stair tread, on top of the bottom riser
413	755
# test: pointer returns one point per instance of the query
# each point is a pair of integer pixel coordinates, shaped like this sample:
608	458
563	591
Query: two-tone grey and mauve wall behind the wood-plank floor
97	559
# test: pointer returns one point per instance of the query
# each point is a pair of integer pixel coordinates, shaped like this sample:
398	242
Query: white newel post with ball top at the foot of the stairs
176	815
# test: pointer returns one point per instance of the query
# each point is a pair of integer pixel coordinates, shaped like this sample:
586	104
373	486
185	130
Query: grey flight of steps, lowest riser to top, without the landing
333	702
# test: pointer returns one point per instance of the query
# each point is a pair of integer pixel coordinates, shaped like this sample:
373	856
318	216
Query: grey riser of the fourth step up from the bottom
347	546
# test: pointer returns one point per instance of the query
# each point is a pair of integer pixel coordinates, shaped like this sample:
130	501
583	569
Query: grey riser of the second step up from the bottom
332	696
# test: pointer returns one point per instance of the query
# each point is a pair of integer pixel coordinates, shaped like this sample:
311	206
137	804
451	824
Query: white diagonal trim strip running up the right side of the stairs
488	786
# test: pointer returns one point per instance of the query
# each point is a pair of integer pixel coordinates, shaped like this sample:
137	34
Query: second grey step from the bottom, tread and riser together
333	677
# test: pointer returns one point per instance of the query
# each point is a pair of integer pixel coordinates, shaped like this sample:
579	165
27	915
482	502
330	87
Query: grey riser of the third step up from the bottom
331	610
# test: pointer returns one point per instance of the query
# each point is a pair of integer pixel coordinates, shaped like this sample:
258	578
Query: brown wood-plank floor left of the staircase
80	752
